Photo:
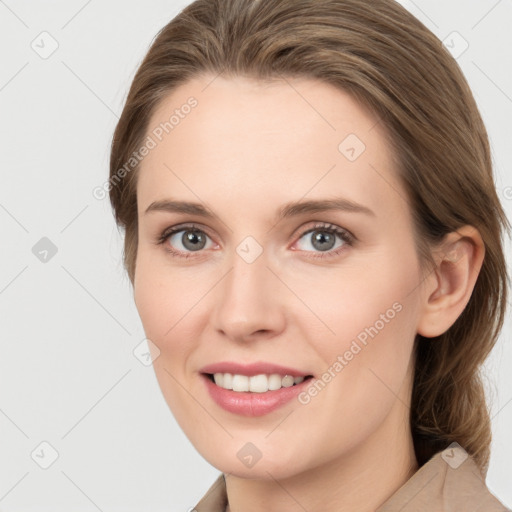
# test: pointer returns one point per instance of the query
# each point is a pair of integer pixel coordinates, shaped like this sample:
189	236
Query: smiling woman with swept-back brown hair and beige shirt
314	241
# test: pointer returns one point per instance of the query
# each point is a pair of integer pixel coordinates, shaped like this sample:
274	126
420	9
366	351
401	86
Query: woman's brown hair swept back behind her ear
389	61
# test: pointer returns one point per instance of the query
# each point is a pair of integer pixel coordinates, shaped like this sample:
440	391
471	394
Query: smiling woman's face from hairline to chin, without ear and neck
275	275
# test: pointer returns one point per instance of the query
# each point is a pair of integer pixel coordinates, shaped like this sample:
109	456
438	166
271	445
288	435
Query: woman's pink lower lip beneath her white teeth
253	404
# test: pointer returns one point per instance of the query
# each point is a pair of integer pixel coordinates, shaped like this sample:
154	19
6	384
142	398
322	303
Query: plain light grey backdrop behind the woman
68	326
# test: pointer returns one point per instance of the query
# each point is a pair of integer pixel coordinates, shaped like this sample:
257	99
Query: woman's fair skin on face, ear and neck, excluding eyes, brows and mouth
244	151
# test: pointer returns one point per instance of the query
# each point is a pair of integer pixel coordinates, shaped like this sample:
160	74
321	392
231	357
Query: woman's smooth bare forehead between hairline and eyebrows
244	140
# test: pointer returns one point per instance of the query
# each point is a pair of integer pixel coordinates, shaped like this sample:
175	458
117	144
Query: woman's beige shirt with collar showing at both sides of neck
443	484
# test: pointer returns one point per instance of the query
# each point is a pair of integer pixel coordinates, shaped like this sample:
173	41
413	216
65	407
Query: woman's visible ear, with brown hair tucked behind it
448	288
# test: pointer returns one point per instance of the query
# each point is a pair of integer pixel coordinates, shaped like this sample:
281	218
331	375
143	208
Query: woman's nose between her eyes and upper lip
249	303
